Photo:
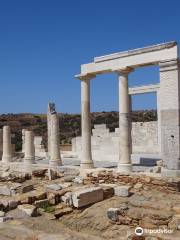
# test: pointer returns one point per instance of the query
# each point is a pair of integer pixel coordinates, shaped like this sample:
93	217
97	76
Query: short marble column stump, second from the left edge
29	156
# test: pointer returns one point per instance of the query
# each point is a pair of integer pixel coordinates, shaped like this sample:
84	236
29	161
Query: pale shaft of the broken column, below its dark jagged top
55	157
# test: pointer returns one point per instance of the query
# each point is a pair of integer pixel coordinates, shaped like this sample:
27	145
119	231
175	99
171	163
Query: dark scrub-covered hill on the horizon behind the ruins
70	124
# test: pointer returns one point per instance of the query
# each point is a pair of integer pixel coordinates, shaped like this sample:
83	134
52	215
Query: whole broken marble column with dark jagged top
53	137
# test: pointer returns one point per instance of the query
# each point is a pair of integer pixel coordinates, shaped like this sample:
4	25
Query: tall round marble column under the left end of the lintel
86	155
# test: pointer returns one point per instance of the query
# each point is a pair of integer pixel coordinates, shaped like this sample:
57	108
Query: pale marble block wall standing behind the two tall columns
105	144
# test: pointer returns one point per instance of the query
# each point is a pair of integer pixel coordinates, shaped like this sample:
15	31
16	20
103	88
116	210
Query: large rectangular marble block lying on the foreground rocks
87	196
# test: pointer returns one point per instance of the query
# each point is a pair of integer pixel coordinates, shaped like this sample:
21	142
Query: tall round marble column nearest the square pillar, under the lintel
124	164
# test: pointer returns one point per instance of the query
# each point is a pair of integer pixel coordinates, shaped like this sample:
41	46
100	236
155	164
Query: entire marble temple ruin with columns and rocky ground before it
100	189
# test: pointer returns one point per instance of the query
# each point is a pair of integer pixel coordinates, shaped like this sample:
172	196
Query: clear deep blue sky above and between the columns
43	43
